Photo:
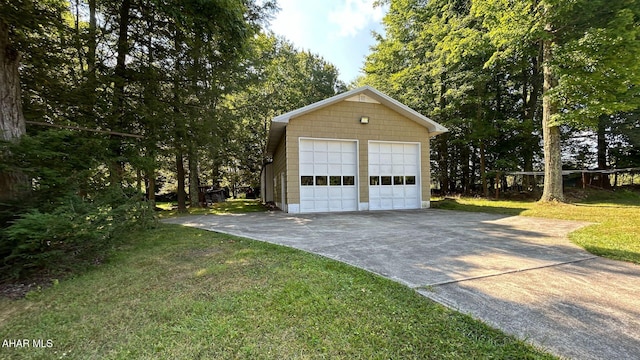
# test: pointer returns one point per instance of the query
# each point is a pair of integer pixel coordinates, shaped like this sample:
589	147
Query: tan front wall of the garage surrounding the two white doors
342	121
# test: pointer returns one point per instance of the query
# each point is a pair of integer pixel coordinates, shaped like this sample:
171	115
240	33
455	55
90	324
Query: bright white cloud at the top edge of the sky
355	15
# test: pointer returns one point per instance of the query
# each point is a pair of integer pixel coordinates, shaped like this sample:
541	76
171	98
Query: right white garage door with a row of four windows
394	175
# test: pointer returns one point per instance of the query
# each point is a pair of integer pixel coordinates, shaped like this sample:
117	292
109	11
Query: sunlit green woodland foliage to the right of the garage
476	67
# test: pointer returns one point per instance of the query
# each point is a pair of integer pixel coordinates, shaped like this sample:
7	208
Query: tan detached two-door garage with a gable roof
359	150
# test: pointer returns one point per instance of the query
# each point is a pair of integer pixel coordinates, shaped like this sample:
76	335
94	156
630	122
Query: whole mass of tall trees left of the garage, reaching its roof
163	96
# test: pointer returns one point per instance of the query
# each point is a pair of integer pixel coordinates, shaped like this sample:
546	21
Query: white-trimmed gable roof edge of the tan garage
279	123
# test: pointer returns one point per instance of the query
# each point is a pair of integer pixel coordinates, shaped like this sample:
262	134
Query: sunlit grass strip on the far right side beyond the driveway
616	218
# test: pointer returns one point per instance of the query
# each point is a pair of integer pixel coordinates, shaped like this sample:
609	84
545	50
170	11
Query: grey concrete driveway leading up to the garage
518	274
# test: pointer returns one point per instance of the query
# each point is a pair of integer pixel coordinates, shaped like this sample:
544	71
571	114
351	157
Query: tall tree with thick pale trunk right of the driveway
588	50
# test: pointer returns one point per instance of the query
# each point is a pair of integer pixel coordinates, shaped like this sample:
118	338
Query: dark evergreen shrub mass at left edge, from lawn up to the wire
70	215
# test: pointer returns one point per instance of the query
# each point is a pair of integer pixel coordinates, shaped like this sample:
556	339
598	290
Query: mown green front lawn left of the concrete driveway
182	293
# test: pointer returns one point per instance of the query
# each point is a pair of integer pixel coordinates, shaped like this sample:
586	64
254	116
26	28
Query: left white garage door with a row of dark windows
328	175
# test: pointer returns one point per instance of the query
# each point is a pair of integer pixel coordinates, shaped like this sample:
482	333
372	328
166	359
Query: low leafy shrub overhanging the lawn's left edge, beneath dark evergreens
73	235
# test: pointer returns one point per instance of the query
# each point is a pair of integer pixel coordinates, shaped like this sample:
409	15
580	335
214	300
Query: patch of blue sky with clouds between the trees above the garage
337	30
